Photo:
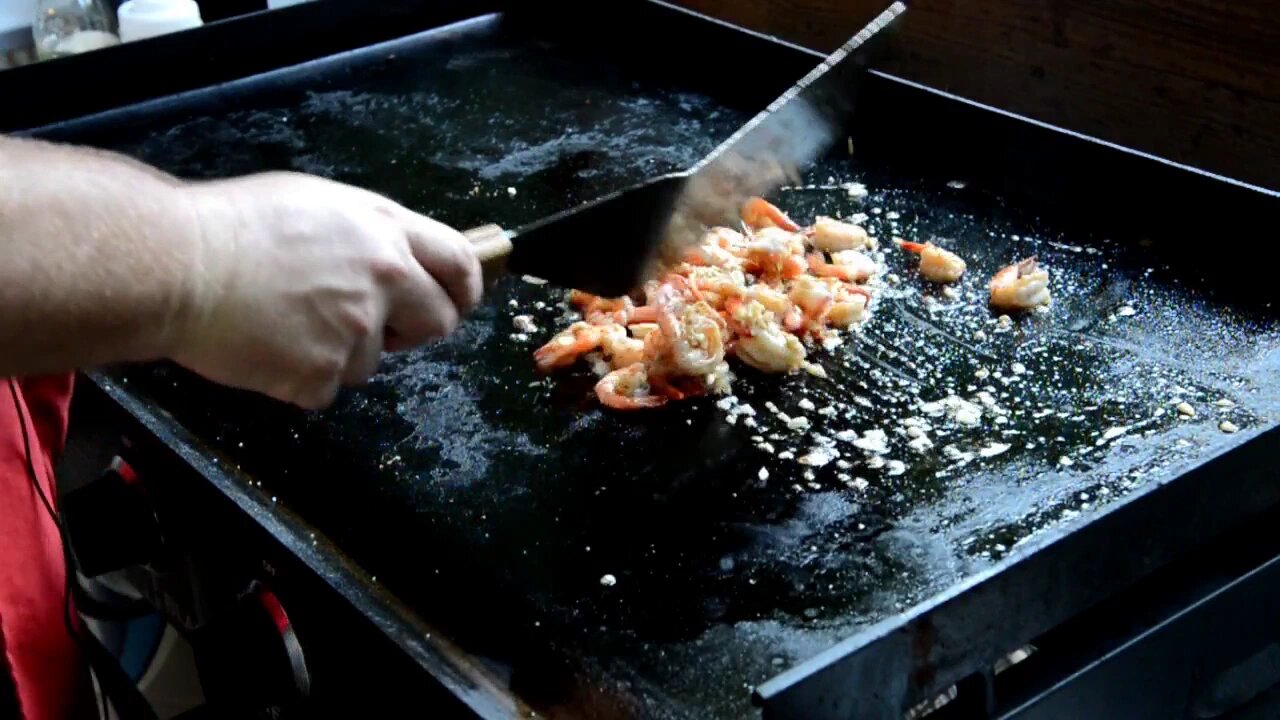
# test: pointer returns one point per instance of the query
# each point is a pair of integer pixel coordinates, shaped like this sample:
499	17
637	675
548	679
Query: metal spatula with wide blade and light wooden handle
607	247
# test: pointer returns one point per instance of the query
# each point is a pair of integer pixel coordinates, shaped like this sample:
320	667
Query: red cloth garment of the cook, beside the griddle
43	663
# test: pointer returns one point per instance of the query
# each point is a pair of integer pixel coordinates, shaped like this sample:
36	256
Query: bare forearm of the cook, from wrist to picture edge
98	254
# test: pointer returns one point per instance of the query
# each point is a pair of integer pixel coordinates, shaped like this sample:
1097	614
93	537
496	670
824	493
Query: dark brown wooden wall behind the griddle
1194	81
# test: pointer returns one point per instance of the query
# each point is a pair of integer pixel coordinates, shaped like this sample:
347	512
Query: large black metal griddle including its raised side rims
492	502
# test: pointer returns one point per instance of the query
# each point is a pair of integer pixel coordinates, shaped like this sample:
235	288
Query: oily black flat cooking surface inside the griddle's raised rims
473	487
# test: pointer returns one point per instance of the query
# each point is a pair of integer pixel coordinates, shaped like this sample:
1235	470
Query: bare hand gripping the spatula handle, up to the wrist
303	282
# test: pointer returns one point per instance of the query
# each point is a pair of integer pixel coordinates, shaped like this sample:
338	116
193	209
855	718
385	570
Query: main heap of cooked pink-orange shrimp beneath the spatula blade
751	295
